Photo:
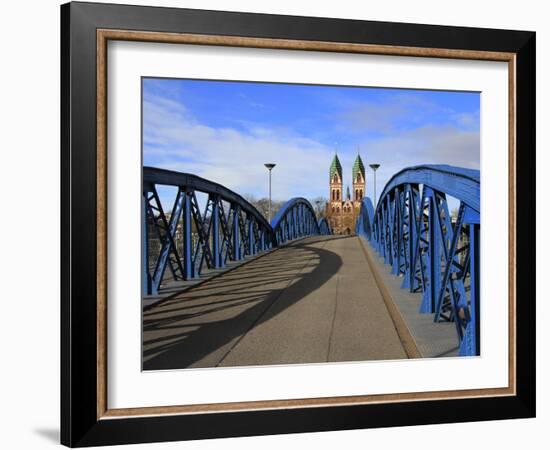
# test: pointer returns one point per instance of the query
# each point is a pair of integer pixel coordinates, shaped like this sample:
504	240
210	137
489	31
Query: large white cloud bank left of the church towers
175	140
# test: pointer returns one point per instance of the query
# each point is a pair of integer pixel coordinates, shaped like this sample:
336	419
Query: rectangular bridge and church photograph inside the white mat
307	224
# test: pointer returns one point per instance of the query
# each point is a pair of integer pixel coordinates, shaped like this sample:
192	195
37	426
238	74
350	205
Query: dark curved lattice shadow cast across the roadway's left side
190	344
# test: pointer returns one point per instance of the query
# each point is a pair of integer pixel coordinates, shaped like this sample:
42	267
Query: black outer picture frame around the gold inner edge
80	425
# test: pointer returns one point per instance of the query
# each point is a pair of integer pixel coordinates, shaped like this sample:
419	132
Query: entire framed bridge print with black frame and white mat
277	224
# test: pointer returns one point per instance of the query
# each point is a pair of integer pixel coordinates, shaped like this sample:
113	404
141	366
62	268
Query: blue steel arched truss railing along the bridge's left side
180	244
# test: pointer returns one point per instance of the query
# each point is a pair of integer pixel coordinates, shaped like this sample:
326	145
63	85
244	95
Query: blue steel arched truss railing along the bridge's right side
435	253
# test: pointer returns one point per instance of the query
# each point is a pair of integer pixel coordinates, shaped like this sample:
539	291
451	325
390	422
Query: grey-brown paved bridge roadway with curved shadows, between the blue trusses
313	301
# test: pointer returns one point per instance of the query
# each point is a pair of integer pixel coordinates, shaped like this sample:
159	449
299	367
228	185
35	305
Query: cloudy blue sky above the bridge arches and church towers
225	131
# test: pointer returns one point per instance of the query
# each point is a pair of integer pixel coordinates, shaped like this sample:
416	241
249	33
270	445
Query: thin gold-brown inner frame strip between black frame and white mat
103	36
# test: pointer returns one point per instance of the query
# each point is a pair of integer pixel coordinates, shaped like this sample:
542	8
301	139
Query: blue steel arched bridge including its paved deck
224	287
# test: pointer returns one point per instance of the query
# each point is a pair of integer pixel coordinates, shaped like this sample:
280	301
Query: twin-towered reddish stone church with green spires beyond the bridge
342	213
